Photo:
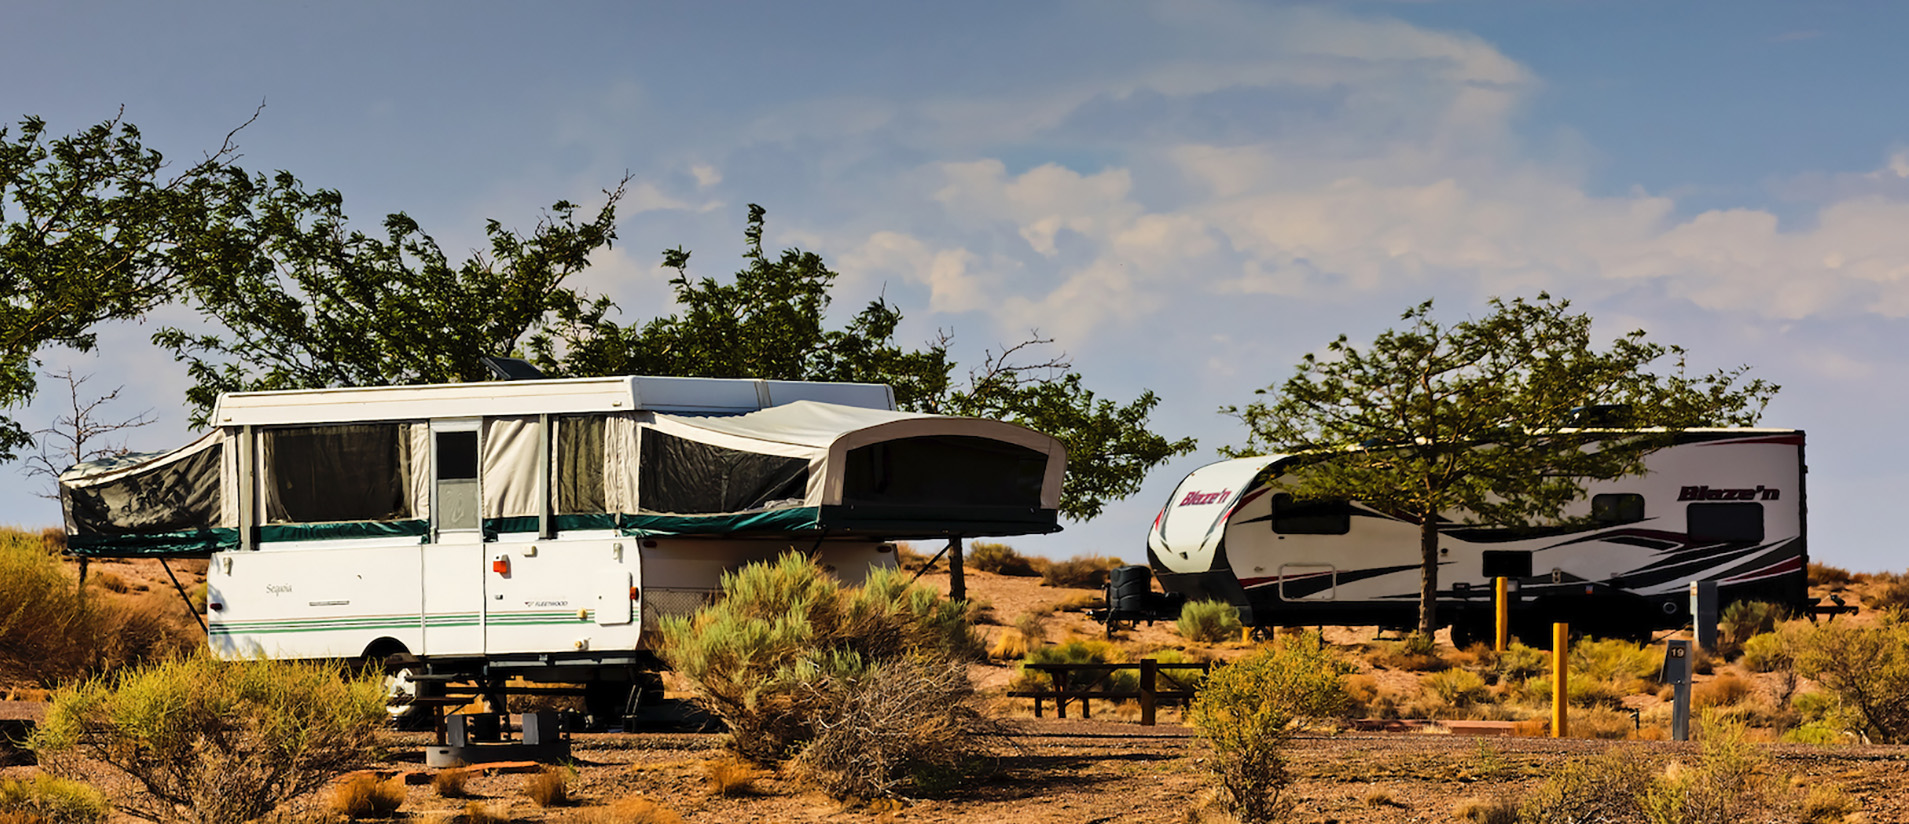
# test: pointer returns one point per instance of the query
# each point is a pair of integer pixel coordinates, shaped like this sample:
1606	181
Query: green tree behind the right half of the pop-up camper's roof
772	323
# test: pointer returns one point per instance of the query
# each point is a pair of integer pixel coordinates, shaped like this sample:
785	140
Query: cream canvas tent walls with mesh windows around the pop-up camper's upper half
797	470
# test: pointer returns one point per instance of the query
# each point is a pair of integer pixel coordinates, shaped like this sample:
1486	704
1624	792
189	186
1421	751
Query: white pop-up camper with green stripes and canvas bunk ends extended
539	529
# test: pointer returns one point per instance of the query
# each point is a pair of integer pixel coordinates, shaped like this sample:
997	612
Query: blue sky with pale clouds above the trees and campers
1188	197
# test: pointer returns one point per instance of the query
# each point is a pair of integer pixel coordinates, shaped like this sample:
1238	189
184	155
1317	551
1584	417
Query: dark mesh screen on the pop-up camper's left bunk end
175	499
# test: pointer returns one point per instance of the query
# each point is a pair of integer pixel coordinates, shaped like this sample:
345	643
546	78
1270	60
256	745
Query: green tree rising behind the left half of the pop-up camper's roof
308	302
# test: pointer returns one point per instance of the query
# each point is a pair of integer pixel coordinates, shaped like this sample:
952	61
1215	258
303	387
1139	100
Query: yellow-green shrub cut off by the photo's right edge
1866	670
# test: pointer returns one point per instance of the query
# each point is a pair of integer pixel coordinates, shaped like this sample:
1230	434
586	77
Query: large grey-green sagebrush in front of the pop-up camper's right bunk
772	657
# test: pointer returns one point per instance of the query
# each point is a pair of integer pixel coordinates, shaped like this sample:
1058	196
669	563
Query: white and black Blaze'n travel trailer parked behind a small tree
1717	506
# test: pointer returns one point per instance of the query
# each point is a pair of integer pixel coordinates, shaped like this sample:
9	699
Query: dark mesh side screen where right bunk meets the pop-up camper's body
692	478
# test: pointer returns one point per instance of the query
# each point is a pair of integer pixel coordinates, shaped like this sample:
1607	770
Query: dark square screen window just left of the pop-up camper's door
337	474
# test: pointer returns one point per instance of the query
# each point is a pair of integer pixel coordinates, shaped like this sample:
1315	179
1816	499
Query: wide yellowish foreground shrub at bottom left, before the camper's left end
213	741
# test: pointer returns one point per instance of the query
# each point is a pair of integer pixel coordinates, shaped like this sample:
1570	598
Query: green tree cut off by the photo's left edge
93	230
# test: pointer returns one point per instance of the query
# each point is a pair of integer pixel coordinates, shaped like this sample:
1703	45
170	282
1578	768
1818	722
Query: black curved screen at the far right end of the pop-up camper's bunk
944	470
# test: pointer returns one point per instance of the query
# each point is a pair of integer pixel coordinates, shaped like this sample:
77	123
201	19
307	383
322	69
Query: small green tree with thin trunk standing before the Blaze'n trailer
1486	421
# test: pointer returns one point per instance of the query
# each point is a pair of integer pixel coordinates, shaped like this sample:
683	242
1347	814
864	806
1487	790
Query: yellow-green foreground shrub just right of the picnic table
1248	711
